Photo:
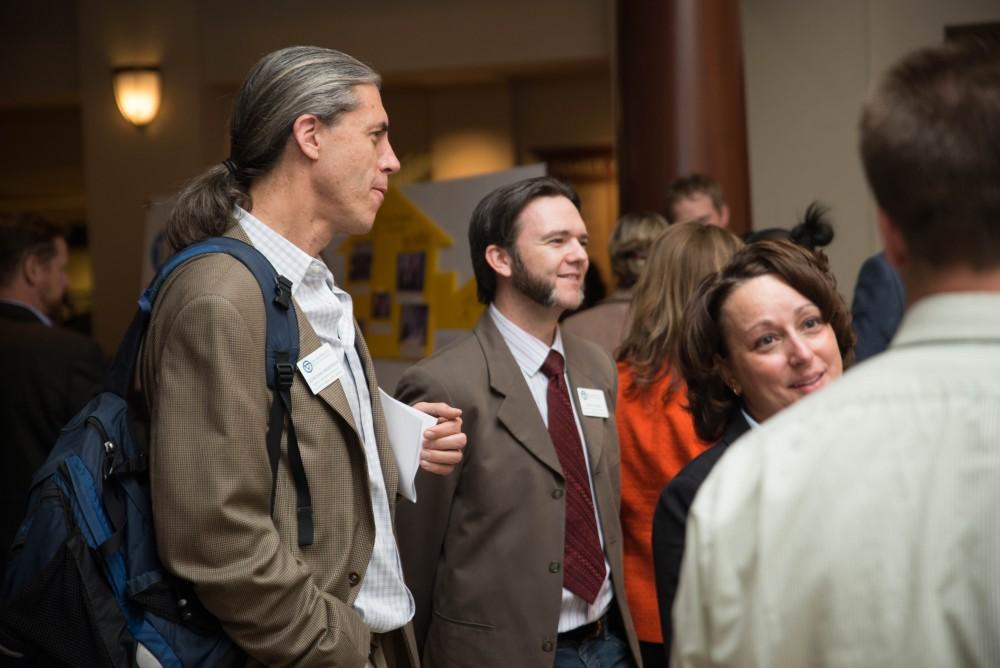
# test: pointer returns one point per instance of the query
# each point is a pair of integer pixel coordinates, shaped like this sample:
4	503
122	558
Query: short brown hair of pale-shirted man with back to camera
930	144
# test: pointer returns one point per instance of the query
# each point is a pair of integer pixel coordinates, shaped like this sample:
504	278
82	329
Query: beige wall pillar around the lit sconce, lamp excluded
124	167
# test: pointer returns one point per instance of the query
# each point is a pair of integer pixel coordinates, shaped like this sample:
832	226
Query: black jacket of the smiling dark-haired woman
670	520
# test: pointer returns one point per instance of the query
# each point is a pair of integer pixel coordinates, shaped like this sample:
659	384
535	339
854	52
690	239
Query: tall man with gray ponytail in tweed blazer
309	159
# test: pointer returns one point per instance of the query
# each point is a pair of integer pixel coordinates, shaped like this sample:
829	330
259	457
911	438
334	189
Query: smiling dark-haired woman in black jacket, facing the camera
767	330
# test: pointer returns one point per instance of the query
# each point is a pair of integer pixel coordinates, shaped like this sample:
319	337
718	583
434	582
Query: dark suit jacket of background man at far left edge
47	375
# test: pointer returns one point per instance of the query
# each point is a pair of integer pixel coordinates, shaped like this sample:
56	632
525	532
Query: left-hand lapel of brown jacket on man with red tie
518	412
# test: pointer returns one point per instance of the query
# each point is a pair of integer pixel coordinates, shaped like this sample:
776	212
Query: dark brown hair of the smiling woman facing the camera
711	402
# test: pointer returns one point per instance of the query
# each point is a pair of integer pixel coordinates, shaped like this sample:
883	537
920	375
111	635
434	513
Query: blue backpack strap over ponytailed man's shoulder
281	355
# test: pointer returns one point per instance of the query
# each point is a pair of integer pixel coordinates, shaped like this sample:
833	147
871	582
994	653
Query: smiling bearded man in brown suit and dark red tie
515	559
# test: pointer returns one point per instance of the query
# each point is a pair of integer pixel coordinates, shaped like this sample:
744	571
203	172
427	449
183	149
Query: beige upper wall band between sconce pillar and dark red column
403	37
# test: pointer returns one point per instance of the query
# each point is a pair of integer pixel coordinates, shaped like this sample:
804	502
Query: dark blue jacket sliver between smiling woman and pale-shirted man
877	309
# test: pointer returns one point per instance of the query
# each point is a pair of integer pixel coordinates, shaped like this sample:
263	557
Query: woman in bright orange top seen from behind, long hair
655	432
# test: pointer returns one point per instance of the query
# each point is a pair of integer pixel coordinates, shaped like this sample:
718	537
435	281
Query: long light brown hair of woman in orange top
678	261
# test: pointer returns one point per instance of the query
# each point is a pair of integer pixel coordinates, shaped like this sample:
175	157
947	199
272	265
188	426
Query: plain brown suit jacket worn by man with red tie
482	550
